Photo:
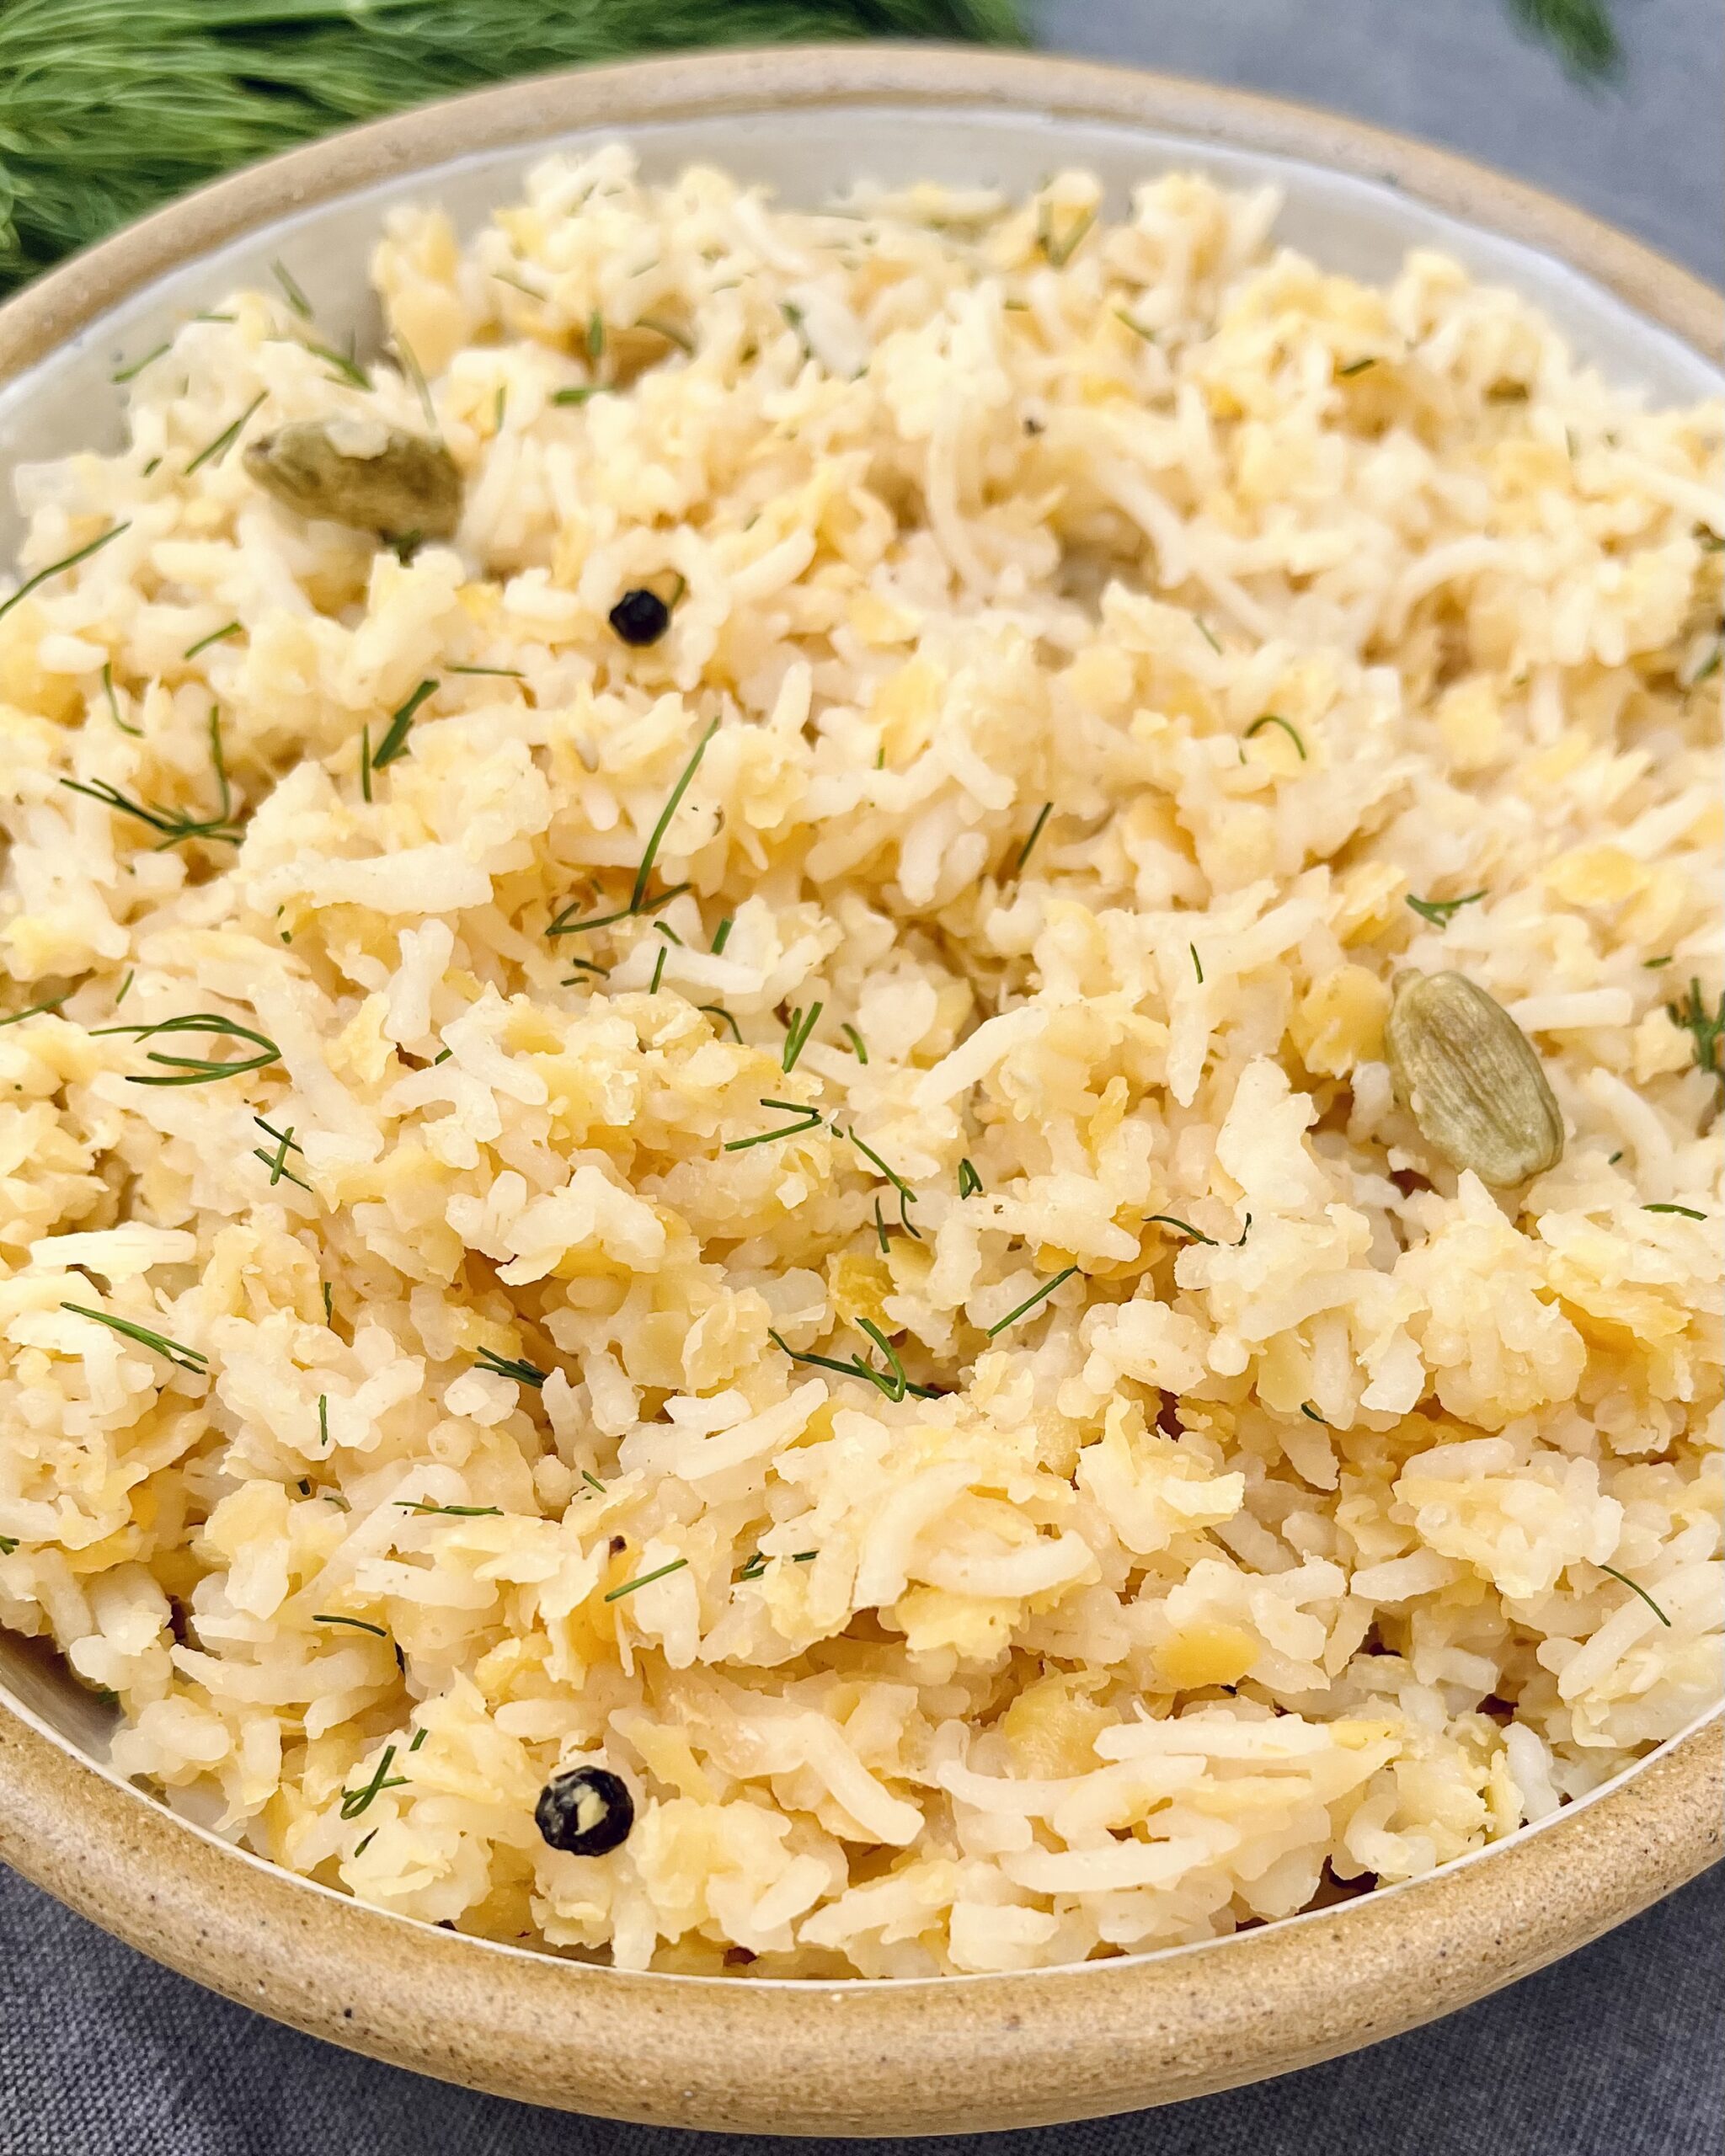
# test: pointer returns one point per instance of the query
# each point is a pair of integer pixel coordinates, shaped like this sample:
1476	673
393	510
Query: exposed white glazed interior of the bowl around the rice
810	156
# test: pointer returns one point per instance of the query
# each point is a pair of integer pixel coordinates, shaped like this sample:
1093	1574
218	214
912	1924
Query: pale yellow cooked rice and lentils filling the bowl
1258	1560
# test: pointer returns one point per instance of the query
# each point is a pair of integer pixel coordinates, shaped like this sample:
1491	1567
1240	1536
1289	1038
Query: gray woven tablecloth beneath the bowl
1620	2051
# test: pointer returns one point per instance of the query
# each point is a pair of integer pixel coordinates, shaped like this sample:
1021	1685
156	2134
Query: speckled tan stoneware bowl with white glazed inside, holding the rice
900	2058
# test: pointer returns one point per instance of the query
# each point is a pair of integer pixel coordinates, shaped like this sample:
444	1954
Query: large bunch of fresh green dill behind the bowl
115	107
